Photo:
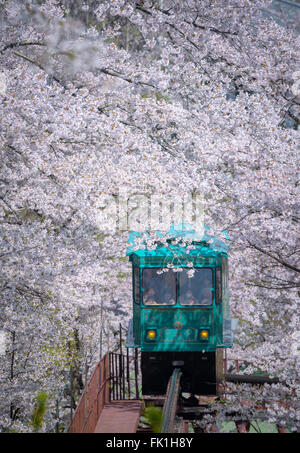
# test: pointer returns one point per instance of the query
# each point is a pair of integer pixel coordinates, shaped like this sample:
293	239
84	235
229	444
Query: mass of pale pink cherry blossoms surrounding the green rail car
159	97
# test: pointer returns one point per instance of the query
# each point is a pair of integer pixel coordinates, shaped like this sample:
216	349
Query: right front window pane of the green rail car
196	290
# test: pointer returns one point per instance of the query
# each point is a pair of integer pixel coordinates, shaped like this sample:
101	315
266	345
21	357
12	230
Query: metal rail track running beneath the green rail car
170	406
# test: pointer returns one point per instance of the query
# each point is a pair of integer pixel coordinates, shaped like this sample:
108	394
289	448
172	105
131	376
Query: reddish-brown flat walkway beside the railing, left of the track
120	417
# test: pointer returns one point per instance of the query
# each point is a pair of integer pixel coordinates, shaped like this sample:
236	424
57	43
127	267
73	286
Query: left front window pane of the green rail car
159	288
